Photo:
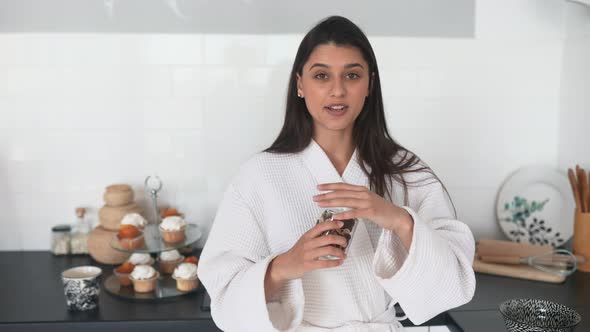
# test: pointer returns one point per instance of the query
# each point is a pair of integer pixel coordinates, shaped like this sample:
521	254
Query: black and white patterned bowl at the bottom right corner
531	315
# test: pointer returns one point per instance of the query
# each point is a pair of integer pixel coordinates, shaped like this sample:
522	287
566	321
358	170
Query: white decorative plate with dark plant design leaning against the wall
536	205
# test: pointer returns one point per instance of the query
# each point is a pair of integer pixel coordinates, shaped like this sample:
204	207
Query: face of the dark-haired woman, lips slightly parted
334	83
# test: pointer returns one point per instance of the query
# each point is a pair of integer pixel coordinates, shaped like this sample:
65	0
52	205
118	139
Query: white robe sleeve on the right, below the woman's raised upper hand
436	273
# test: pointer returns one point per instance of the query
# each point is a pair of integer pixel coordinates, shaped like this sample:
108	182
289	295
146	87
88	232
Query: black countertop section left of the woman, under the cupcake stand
32	299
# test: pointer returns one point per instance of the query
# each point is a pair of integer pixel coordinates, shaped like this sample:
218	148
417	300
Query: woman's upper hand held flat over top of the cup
365	205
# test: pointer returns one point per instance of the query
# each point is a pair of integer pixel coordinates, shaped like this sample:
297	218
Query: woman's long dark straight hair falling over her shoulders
386	159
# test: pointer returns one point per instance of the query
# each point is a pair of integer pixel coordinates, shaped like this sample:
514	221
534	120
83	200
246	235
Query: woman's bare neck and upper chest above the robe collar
338	146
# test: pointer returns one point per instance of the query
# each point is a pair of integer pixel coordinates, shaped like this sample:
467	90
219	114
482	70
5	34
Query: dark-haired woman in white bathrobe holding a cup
261	262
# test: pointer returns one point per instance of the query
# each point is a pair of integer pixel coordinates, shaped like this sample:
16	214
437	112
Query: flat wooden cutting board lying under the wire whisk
516	271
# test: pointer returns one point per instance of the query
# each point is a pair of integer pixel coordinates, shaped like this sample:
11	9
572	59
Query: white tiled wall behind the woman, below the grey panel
81	111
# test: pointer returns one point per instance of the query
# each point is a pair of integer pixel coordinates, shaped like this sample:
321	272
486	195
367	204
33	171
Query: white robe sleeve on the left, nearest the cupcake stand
232	267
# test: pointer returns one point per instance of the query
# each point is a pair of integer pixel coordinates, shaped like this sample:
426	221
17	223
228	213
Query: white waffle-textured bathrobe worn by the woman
266	209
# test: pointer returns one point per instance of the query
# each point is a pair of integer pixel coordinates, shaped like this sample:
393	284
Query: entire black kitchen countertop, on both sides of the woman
31	299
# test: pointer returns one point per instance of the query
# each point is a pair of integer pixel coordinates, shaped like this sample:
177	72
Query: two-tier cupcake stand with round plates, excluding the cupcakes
166	285
